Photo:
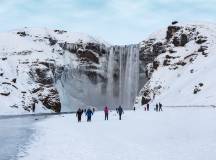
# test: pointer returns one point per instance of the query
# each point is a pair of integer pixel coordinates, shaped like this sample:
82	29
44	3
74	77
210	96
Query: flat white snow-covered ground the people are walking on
175	134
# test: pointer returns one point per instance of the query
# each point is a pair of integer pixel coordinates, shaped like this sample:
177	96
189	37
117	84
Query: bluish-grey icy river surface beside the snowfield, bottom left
15	134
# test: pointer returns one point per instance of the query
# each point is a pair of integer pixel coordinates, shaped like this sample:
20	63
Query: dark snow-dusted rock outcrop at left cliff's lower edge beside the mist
45	73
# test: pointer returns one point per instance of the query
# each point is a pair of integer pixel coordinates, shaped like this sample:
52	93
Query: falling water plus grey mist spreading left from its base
120	87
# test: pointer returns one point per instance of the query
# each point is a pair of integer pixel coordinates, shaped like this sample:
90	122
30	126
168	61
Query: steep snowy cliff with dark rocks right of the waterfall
181	69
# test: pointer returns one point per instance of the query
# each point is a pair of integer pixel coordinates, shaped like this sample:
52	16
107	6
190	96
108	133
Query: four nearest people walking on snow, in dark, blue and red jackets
89	113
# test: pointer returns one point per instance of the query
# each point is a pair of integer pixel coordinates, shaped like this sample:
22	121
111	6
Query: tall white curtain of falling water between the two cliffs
124	74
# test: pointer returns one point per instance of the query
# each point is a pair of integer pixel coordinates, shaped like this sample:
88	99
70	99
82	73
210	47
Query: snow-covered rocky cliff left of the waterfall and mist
34	60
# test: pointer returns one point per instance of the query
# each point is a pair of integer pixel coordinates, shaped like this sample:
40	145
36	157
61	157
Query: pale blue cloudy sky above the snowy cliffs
116	21
